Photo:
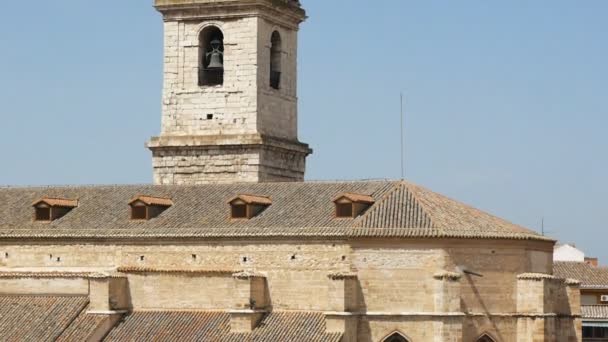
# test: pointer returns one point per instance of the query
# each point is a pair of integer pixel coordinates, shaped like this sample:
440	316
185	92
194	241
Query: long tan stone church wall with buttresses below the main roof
367	289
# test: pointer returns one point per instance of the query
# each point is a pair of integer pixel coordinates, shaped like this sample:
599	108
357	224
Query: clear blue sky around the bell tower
506	101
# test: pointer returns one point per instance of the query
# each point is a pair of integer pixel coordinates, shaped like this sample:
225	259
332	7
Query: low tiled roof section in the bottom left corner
37	318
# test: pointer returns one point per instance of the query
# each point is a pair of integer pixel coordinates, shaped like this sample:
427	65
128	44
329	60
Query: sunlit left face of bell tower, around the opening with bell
233	105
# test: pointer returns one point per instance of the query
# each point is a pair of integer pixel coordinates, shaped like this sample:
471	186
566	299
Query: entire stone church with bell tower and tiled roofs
231	244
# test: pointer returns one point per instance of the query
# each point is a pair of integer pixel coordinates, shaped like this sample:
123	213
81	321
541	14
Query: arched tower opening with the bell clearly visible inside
211	57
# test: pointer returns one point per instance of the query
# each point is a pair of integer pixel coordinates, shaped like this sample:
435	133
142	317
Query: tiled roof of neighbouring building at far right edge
589	276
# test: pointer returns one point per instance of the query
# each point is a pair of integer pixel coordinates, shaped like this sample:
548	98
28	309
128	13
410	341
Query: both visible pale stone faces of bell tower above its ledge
245	103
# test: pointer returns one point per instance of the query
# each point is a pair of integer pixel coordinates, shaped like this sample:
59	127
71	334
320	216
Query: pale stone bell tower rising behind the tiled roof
229	106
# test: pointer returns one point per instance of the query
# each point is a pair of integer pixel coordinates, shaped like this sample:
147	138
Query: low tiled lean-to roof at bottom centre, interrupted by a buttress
213	326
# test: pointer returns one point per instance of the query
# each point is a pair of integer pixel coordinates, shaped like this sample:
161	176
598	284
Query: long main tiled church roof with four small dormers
303	209
